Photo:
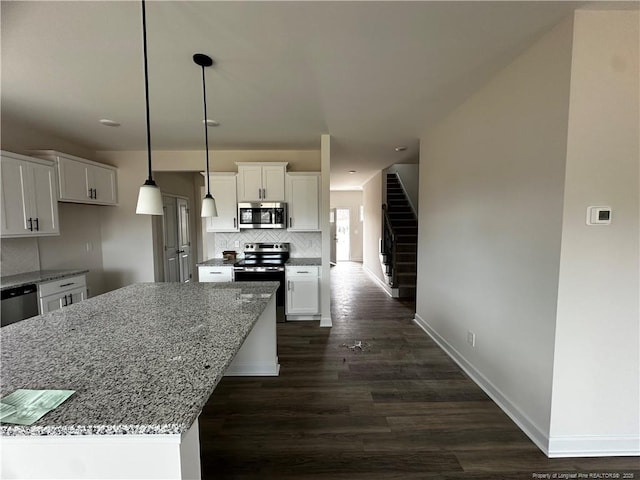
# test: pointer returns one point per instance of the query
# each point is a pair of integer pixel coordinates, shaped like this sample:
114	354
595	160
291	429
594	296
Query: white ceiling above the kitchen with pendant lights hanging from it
374	75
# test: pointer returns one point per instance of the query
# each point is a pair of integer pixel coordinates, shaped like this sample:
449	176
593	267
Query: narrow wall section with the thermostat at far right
596	400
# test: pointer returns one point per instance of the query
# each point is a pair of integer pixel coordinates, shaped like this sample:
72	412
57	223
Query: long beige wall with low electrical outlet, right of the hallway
490	218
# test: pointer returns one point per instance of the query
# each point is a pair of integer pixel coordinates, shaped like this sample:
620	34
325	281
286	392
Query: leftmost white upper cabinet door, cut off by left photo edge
14	207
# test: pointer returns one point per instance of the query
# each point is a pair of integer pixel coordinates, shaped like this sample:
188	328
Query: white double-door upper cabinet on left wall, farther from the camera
83	181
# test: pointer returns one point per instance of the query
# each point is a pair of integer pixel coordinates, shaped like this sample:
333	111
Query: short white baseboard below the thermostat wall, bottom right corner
594	446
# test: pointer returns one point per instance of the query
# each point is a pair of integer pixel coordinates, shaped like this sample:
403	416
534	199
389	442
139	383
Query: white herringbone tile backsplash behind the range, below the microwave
303	244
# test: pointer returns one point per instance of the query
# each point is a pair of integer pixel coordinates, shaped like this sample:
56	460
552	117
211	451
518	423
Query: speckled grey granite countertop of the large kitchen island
143	359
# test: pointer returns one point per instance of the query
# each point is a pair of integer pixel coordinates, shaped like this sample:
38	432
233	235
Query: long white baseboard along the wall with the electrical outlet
525	424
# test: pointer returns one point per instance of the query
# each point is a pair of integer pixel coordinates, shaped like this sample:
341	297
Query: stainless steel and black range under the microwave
264	262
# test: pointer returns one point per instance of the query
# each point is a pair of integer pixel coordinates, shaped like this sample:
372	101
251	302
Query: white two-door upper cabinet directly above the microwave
261	182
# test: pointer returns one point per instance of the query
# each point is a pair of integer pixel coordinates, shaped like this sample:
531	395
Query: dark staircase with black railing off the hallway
399	240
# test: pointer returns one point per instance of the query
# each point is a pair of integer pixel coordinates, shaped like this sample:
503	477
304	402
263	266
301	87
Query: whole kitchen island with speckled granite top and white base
143	360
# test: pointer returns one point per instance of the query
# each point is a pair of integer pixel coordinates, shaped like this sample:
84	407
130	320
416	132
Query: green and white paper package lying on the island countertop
25	407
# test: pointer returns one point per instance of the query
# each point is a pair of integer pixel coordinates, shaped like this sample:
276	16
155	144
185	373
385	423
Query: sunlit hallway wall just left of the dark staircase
372	226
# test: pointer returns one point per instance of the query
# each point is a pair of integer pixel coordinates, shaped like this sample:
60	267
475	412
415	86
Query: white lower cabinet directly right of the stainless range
303	292
